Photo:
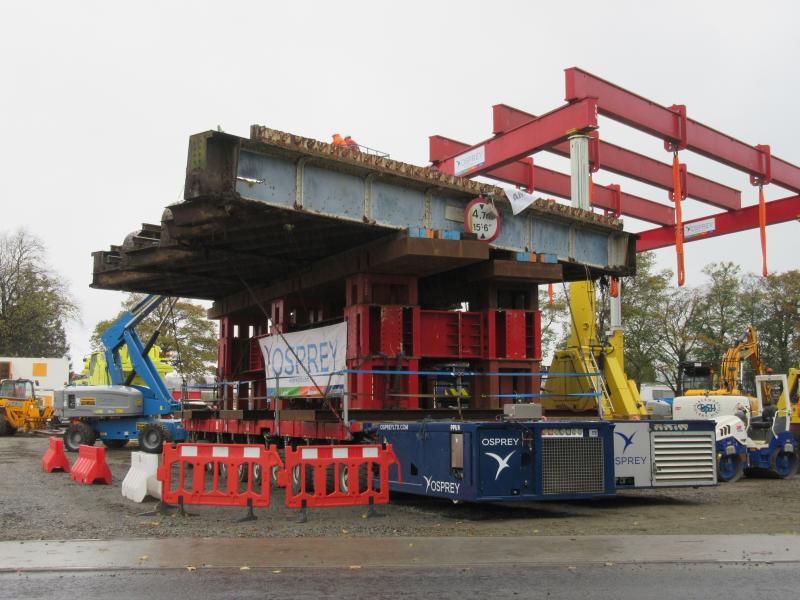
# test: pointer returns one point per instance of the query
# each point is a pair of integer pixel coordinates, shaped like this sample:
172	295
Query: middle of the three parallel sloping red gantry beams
629	164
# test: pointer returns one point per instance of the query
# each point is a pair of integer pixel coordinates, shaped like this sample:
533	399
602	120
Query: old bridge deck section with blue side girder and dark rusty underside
273	206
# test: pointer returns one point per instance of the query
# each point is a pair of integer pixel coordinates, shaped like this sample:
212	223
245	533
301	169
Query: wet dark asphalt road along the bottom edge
618	582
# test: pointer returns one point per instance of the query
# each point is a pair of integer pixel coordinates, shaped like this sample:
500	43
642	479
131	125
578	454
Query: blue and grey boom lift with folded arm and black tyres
122	411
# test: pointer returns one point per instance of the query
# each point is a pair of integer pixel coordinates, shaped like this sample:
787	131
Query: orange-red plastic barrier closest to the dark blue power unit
338	475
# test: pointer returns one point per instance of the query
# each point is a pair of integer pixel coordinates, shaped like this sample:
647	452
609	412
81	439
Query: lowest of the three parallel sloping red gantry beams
558	184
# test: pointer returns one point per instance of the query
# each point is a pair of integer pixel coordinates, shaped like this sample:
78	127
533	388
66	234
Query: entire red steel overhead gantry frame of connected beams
517	135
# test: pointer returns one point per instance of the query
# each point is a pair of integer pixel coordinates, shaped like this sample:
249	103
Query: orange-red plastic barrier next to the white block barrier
217	474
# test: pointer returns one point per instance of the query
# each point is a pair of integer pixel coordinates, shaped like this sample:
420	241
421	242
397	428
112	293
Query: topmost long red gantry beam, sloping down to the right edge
662	122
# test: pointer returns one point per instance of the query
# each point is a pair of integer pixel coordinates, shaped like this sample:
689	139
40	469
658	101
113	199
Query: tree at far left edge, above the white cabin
35	303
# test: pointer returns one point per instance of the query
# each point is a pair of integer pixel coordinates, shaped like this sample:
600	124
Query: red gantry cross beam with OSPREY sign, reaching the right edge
778	211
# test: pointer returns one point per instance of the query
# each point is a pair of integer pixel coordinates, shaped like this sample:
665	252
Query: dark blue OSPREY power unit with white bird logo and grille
503	460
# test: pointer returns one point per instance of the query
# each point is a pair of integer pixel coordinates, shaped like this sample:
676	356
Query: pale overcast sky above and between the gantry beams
98	99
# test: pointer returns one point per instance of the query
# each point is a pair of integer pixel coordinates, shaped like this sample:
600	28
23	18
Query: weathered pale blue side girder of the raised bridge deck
314	178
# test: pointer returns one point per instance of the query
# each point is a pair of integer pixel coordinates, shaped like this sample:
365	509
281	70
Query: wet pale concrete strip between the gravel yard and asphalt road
396	552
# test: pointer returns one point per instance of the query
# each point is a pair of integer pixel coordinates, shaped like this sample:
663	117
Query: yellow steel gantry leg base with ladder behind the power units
598	382
